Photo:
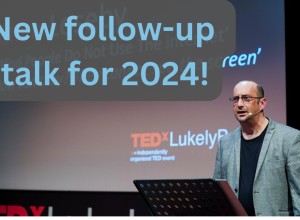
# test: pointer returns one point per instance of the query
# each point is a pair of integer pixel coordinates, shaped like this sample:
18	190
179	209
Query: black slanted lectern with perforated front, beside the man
189	197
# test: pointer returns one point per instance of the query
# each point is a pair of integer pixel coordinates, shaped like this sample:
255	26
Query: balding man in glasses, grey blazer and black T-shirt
261	158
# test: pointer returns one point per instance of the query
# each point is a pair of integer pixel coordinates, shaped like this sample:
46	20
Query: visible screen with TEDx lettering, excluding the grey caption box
101	146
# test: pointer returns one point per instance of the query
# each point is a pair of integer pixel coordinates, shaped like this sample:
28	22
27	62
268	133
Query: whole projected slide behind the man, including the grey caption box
89	137
